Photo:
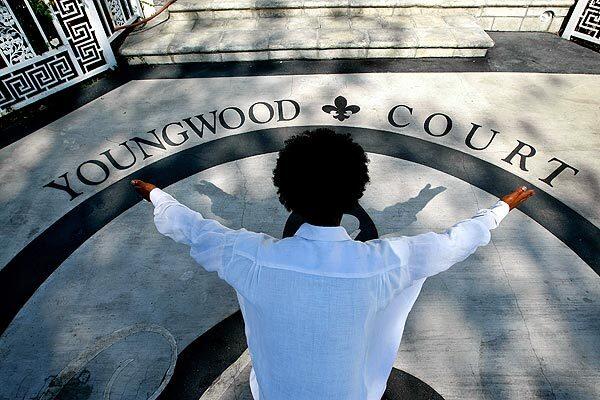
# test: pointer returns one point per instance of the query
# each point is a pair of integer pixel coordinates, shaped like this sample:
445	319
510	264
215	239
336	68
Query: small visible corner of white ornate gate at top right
584	22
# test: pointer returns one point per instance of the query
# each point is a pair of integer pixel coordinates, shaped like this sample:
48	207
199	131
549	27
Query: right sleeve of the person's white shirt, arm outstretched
424	255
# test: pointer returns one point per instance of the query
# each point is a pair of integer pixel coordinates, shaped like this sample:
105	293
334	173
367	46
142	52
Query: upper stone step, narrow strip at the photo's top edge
497	15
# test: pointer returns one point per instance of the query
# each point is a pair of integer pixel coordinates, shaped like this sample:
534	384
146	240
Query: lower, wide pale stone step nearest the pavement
200	40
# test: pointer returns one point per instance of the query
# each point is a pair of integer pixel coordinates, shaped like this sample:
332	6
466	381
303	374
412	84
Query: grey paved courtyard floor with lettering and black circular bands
96	304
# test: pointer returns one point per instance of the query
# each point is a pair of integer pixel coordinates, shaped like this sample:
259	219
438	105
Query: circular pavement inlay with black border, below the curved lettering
108	268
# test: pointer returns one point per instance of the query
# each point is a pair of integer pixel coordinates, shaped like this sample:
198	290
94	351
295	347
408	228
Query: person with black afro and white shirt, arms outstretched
324	313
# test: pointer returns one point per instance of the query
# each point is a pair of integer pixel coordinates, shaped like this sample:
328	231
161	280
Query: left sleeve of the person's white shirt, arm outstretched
211	243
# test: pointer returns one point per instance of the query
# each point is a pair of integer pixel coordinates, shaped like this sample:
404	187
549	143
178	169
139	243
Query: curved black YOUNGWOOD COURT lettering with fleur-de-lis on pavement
168	137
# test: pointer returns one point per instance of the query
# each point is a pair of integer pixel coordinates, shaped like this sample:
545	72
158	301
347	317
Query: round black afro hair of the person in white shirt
320	174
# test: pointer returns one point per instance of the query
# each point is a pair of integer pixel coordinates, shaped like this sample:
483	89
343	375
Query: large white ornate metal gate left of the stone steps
47	45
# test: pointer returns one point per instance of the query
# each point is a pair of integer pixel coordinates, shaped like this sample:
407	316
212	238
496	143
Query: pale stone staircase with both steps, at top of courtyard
244	30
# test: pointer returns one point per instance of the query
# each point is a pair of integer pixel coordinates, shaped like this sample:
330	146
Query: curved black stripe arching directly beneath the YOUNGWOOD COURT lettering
21	277
